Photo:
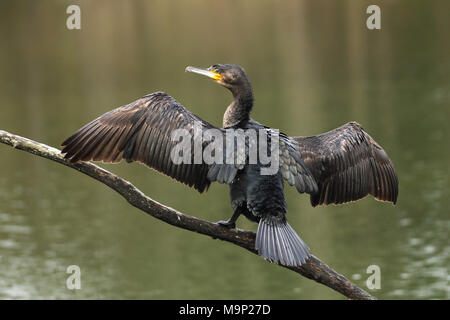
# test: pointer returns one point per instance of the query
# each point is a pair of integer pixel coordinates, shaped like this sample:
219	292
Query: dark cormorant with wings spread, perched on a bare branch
335	167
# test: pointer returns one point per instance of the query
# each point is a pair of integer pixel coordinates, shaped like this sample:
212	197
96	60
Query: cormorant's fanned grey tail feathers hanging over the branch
277	242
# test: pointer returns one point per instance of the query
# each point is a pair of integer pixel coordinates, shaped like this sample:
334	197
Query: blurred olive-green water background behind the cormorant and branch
314	66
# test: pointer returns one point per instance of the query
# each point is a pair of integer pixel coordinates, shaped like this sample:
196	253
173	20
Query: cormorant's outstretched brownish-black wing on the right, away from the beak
347	165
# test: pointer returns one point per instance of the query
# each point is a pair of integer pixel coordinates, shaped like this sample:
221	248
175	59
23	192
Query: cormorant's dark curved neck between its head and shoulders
239	110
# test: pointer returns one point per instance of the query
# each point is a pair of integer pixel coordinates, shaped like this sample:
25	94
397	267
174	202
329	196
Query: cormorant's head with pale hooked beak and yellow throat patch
230	76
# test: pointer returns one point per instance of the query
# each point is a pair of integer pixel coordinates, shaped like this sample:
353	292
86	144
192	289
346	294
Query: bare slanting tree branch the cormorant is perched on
313	269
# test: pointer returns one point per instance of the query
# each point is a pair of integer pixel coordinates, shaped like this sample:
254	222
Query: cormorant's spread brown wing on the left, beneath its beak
142	131
